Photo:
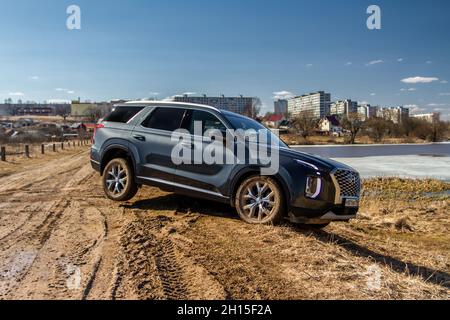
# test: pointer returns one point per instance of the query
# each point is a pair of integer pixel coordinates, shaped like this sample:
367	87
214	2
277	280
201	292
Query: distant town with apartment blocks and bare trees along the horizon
307	115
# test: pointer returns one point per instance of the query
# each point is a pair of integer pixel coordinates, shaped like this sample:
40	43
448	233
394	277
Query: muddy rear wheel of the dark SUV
118	180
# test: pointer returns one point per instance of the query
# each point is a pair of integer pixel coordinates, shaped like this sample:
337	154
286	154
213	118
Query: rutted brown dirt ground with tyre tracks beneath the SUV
61	239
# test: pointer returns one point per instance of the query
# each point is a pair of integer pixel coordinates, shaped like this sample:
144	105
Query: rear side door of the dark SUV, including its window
153	140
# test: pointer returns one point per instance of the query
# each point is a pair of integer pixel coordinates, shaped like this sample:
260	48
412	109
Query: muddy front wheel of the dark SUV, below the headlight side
259	200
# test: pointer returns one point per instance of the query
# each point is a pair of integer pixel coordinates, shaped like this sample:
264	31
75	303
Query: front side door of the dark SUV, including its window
206	177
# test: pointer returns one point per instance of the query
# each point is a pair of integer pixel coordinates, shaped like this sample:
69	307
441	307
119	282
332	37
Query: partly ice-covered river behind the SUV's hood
410	160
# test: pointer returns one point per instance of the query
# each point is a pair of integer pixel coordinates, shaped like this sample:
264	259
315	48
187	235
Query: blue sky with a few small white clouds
133	49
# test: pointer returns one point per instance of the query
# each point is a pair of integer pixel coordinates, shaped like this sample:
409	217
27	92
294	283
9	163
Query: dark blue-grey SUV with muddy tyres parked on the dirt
133	146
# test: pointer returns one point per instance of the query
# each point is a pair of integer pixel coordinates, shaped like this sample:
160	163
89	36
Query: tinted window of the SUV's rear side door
168	119
